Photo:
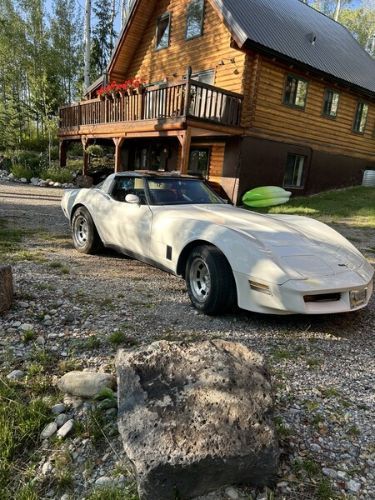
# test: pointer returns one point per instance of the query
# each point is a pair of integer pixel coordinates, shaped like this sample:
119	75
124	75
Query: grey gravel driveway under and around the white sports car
323	367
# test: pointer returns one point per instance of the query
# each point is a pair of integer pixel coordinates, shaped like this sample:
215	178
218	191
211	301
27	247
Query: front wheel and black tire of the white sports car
209	280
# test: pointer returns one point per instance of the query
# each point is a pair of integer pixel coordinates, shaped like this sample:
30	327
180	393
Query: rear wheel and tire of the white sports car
85	236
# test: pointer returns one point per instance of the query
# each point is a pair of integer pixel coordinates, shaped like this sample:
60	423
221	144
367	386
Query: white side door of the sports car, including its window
129	224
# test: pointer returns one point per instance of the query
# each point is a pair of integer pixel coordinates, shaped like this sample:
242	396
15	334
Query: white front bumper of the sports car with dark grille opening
344	292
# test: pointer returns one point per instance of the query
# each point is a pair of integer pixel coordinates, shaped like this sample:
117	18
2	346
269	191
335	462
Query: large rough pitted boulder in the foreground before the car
196	417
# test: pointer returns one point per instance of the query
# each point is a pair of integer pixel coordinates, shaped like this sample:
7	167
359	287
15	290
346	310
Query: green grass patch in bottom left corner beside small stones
22	418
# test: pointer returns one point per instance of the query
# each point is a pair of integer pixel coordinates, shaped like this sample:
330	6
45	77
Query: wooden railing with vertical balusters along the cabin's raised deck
188	99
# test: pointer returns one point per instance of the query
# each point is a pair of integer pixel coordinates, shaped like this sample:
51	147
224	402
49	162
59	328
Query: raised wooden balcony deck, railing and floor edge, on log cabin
157	108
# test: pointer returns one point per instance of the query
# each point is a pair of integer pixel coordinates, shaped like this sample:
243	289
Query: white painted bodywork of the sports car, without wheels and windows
281	264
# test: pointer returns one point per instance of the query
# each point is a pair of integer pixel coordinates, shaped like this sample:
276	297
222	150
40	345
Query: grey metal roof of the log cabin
299	32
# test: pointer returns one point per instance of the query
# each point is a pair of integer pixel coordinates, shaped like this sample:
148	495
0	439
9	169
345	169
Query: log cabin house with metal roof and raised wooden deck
242	92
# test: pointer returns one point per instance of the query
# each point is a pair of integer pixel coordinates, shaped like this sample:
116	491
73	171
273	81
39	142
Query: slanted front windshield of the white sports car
181	192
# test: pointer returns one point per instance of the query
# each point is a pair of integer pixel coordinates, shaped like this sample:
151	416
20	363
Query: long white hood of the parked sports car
298	244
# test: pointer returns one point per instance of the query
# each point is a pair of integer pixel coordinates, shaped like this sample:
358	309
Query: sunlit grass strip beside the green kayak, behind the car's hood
353	205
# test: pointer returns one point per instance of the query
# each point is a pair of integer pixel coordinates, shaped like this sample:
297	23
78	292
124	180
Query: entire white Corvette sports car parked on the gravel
275	264
